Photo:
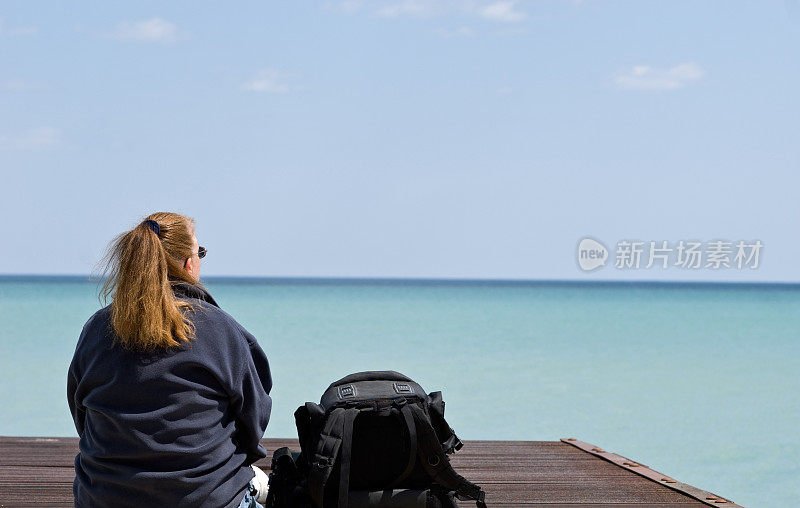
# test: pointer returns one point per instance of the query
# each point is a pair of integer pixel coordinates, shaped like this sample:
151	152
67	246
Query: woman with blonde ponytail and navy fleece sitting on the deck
169	394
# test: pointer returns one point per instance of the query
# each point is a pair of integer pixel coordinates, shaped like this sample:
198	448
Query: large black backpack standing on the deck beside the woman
375	439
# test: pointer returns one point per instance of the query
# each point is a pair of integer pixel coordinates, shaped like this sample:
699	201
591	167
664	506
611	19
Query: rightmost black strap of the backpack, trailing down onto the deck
437	464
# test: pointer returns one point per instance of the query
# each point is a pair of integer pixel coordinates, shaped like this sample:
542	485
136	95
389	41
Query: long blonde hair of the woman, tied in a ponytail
139	268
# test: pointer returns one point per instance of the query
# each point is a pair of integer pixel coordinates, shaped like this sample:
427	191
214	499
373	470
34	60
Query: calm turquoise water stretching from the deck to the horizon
696	381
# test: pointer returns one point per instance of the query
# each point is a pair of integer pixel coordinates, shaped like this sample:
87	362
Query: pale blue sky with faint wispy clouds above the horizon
478	139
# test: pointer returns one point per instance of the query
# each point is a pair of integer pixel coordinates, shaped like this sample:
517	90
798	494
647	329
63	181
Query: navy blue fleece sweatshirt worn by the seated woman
174	428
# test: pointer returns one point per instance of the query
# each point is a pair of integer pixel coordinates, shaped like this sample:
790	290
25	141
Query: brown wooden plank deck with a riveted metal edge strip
567	473
